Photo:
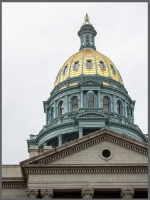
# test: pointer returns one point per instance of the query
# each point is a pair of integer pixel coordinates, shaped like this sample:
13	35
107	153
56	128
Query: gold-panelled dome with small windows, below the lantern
100	64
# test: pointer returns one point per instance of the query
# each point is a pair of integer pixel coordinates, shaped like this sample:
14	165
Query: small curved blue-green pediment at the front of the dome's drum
91	115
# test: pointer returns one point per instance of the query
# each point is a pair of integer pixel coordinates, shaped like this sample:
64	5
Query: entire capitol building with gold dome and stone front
90	146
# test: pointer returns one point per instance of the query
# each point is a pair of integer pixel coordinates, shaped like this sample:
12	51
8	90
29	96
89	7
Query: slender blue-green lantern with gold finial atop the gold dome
87	34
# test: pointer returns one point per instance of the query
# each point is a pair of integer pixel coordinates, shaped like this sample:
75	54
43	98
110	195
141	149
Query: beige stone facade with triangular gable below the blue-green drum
80	163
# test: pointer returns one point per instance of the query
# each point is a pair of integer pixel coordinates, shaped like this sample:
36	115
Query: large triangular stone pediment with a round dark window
99	139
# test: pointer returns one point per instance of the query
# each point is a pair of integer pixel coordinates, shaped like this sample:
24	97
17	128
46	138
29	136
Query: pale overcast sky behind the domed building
37	38
